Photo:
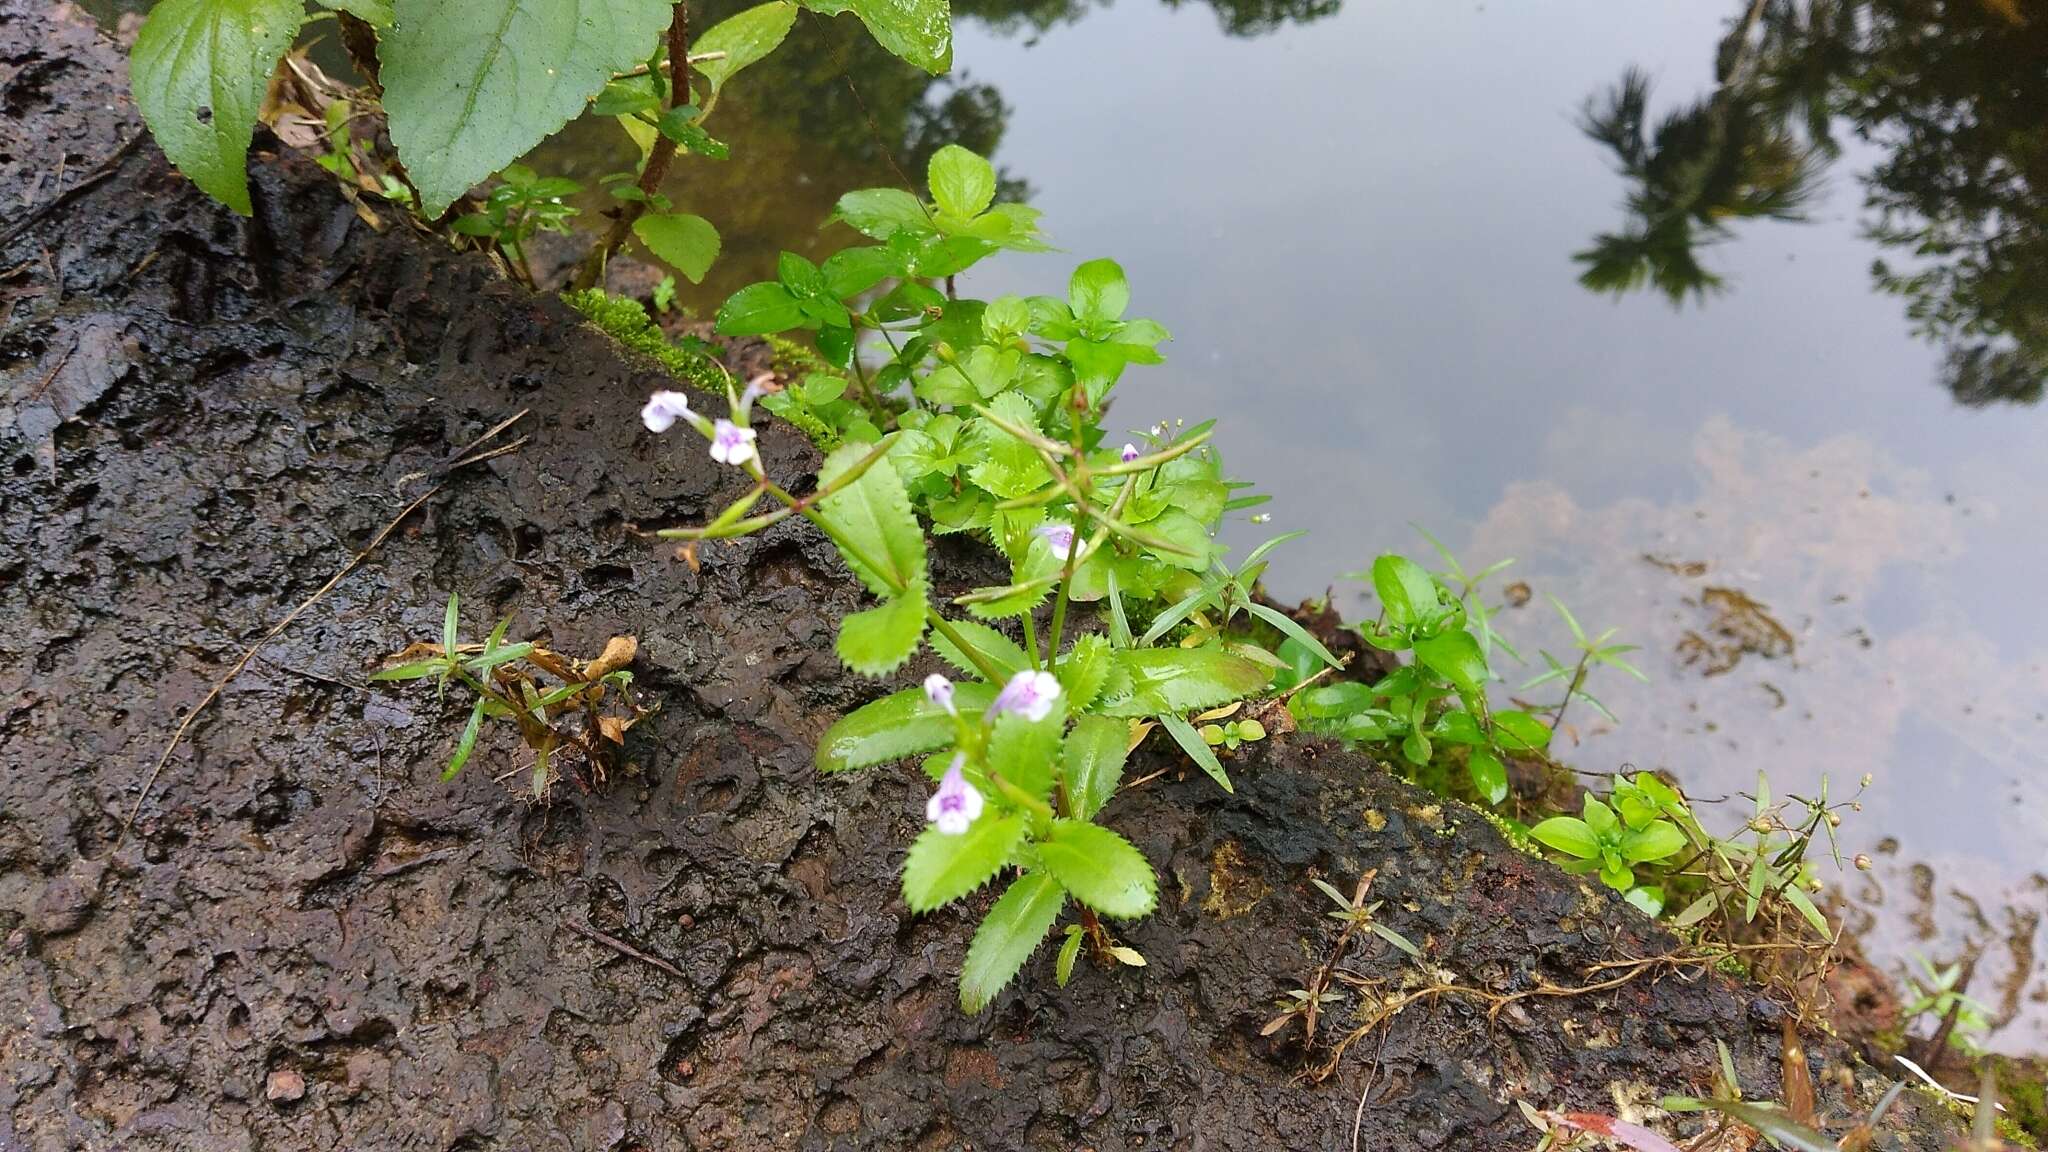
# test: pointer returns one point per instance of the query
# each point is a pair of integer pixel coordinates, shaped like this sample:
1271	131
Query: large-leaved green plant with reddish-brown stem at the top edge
474	85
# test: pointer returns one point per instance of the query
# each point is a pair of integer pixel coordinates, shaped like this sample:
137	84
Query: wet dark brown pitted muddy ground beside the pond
308	942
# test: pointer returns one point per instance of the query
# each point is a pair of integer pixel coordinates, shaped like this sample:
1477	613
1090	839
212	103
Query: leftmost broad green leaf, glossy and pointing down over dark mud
200	73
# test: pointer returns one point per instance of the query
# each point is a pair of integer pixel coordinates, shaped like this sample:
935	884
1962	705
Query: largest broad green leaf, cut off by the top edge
474	85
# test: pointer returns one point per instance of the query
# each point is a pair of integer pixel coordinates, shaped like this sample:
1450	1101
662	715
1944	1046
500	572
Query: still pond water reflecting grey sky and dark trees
1361	224
